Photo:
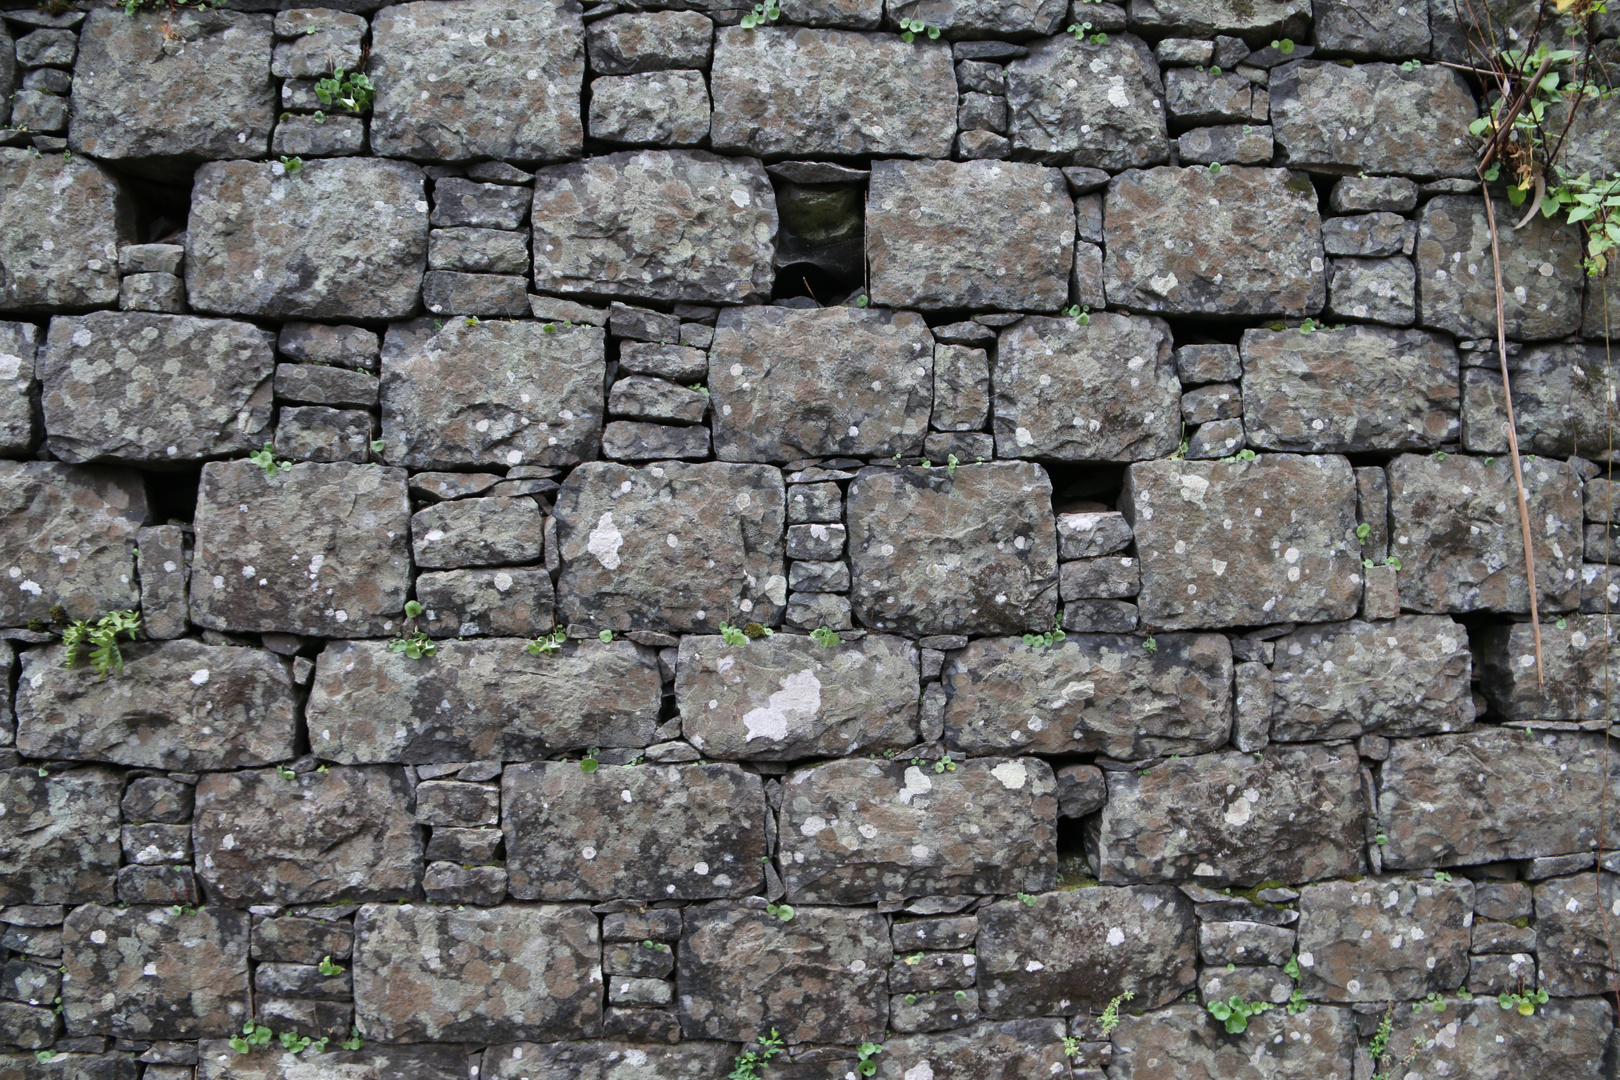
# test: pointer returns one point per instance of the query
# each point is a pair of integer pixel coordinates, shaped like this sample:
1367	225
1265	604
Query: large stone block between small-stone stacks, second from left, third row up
320	836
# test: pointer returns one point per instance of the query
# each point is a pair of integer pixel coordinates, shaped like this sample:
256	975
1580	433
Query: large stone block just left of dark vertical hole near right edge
1409	676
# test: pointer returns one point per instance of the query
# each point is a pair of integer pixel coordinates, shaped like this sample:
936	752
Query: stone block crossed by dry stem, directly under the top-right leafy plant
1457	274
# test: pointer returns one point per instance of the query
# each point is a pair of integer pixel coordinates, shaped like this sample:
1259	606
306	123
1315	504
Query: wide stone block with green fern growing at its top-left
177	705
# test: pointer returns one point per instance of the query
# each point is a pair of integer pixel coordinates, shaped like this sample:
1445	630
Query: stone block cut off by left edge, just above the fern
93	516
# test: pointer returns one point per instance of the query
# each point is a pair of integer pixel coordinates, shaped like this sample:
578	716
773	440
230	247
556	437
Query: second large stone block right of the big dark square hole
1174	232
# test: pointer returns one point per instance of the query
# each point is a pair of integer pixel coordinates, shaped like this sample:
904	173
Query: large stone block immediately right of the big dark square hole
970	236
